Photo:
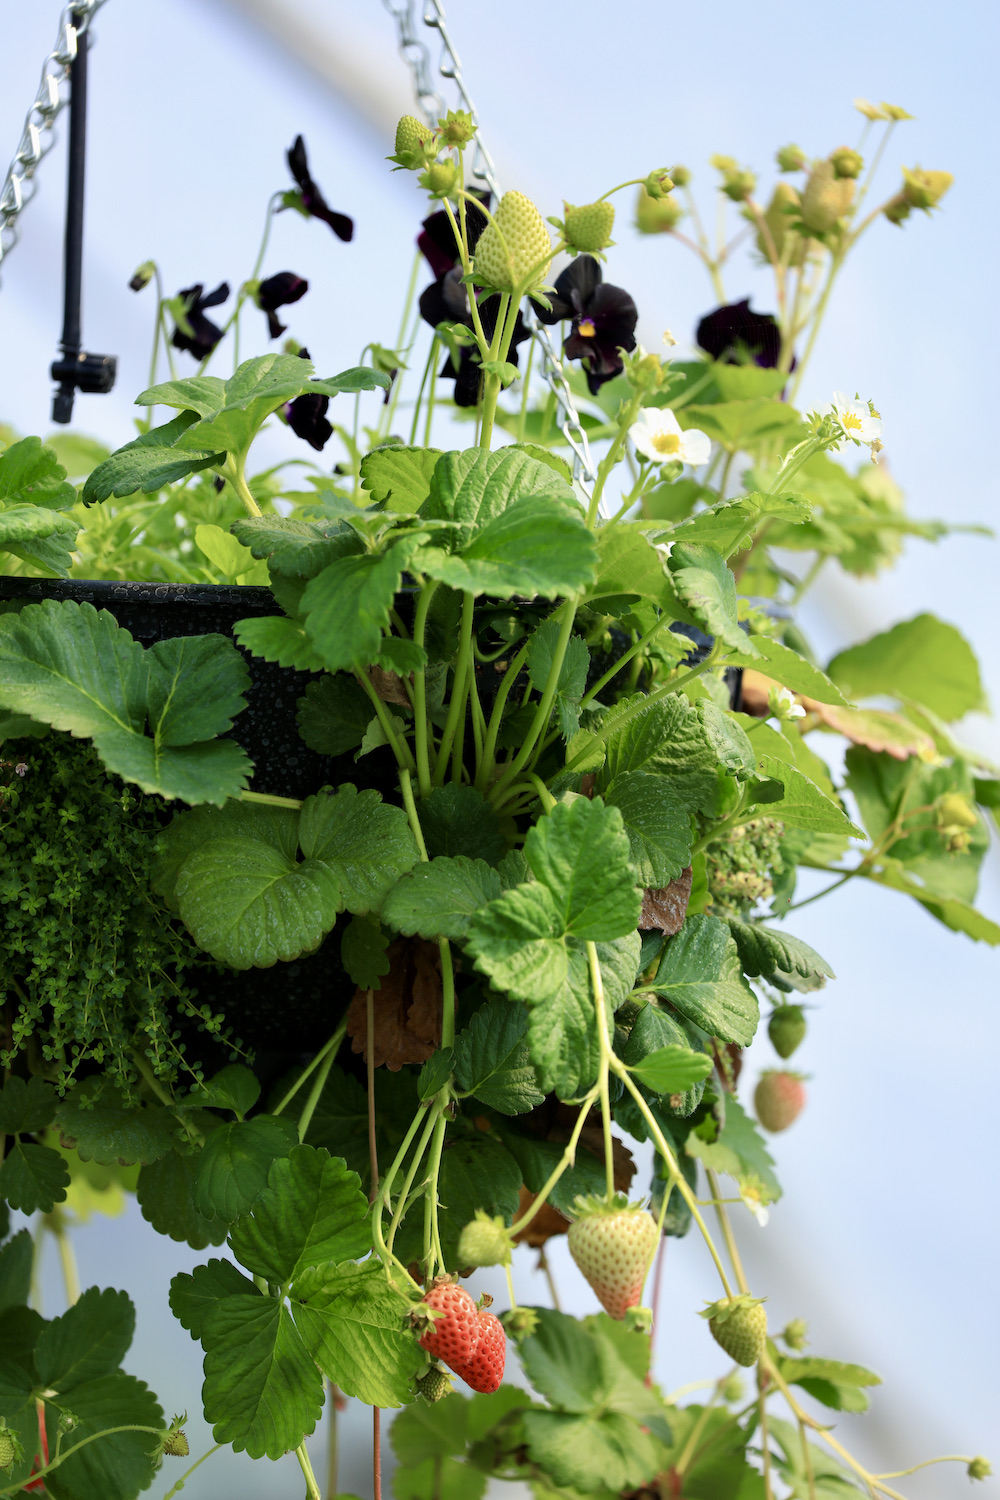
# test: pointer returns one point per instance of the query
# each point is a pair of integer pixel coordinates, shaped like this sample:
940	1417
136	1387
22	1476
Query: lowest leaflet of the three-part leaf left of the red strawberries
263	1391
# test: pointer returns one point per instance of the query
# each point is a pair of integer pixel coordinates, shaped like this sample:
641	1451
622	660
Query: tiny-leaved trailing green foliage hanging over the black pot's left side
92	968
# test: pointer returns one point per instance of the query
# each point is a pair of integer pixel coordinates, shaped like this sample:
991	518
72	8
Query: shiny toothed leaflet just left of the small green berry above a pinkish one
702	979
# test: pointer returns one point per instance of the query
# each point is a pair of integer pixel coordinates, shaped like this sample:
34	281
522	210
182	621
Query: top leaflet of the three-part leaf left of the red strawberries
313	1211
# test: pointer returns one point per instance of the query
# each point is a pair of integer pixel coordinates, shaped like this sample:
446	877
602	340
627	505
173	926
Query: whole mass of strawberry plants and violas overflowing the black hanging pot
572	784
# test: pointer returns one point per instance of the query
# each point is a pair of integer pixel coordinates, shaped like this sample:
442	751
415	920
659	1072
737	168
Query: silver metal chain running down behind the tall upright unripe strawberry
418	56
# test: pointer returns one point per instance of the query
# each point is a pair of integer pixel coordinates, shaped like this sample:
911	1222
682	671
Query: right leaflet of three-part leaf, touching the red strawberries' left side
352	1321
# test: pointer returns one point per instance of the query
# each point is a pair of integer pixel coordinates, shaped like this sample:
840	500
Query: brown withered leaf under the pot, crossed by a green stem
407	1009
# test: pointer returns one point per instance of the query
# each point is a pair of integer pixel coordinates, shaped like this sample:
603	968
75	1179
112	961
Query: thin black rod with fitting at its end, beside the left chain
77	370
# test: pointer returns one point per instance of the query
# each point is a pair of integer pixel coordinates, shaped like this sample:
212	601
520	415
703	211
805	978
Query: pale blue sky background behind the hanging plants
891	1174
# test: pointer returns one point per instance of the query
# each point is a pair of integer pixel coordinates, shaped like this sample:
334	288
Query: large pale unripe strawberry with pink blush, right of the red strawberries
614	1246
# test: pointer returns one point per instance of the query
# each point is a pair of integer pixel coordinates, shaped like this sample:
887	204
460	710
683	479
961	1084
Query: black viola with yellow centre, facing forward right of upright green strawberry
603	320
